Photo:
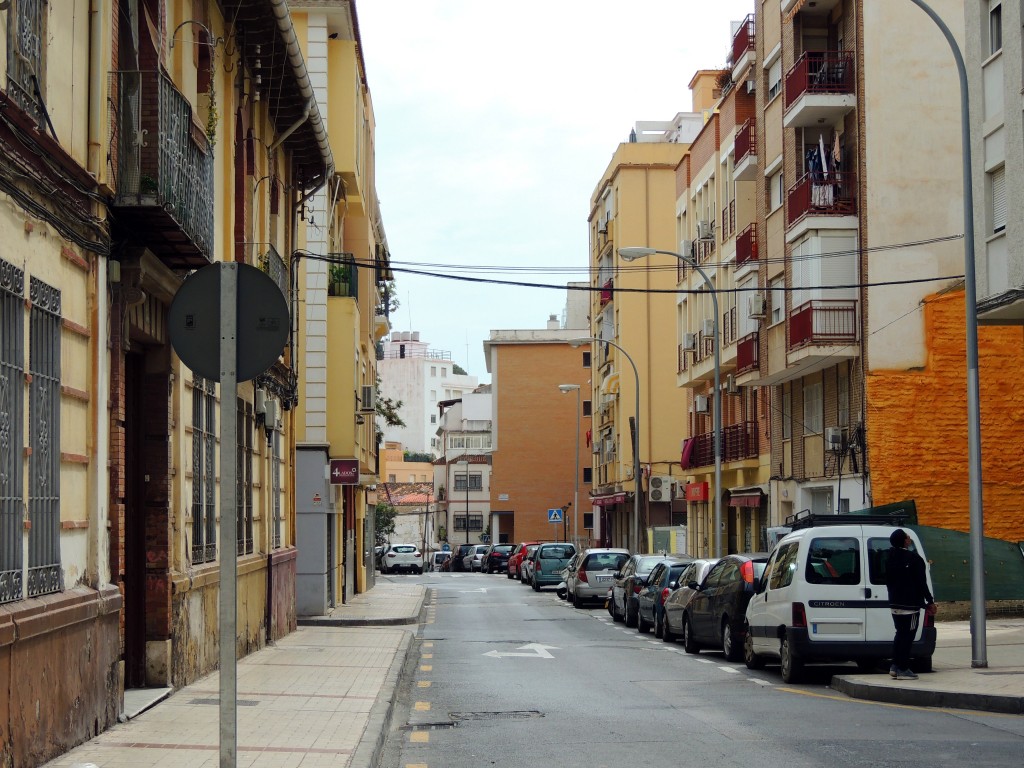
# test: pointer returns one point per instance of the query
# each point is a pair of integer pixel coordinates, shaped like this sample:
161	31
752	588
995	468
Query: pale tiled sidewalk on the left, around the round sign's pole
321	697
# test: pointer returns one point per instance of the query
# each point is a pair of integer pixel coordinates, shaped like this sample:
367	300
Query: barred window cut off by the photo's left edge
12	419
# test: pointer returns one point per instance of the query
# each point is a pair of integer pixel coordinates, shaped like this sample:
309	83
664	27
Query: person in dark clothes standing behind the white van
909	593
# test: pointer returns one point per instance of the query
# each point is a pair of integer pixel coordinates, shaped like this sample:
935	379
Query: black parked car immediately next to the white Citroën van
715	616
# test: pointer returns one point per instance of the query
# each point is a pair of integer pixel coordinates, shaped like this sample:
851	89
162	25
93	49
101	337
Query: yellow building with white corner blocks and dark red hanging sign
343	284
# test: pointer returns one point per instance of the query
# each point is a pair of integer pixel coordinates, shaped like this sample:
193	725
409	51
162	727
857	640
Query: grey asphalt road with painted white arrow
501	675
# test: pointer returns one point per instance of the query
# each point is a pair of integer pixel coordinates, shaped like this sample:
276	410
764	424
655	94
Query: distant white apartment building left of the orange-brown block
420	378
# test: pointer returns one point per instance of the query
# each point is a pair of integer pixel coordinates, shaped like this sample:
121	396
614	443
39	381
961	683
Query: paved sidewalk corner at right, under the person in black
955	685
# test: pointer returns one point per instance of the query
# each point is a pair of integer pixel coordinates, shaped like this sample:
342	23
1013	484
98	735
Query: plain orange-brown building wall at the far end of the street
535	462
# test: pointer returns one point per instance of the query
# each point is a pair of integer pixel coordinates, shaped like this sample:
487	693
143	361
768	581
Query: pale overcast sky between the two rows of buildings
495	122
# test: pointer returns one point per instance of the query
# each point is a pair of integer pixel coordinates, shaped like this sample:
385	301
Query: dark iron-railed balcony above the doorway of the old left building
163	169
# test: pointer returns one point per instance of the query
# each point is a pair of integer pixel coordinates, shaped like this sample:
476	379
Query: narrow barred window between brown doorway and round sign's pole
204	548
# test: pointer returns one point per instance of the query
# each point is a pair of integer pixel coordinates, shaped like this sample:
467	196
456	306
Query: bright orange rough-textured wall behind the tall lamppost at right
917	426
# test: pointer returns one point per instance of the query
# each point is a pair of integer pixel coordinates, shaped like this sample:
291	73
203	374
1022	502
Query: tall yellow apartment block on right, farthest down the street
633	204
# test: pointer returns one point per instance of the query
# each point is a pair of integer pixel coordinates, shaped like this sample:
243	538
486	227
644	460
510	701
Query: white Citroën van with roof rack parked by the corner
823	599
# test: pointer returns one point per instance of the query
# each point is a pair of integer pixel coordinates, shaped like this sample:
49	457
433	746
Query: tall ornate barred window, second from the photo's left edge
46	575
